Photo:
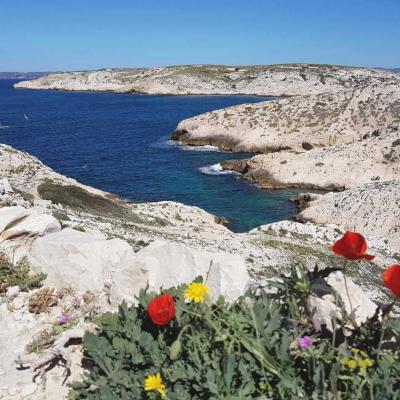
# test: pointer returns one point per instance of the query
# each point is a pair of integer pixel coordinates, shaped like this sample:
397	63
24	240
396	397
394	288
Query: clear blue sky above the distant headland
44	35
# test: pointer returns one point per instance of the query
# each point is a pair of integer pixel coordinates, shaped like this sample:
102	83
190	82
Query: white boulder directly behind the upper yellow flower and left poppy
166	264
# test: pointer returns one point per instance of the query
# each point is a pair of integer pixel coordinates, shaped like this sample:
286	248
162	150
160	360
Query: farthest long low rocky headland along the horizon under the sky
269	80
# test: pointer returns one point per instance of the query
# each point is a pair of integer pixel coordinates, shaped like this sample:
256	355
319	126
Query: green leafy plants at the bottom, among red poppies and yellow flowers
244	350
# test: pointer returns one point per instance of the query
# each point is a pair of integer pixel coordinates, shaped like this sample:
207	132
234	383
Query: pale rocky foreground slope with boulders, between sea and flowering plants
96	250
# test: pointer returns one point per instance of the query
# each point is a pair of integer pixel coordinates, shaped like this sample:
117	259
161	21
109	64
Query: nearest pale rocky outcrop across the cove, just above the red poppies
369	209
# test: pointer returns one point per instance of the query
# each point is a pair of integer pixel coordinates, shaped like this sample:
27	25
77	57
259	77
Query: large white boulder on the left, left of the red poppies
79	260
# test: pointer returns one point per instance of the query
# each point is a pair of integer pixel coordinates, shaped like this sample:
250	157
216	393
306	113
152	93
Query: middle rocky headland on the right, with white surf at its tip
338	167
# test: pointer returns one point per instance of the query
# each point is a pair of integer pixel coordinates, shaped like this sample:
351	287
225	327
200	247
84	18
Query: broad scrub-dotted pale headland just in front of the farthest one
298	123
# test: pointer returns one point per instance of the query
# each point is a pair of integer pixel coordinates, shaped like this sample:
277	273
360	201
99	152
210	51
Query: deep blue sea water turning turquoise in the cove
120	143
